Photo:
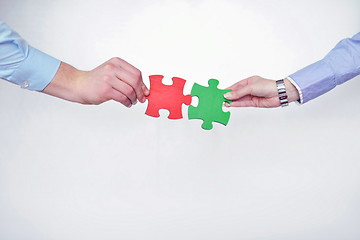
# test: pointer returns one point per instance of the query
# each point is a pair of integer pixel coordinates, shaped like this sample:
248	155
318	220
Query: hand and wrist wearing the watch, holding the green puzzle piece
256	91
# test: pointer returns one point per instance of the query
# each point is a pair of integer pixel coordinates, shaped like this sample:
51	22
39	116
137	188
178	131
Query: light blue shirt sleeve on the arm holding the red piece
22	64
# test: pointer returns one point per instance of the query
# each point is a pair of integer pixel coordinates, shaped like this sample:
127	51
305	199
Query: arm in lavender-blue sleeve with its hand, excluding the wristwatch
340	65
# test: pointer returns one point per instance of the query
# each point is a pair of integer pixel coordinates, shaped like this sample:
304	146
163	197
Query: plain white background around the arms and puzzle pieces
69	171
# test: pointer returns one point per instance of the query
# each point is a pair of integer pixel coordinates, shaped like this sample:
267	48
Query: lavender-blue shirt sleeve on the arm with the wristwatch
340	65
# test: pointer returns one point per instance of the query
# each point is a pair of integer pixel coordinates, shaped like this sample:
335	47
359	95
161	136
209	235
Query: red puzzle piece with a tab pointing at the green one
168	97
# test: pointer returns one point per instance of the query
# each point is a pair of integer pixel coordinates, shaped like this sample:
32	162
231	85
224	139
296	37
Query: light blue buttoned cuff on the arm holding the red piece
36	71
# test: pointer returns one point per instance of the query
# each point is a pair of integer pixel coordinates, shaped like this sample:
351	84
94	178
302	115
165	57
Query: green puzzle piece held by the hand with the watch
209	109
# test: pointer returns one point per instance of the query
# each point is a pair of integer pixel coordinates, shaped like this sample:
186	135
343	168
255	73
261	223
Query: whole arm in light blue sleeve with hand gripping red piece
32	69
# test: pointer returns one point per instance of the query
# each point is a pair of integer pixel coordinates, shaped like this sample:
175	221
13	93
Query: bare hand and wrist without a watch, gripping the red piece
113	80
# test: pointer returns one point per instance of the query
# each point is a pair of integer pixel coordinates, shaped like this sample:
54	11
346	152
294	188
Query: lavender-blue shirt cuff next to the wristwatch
314	80
